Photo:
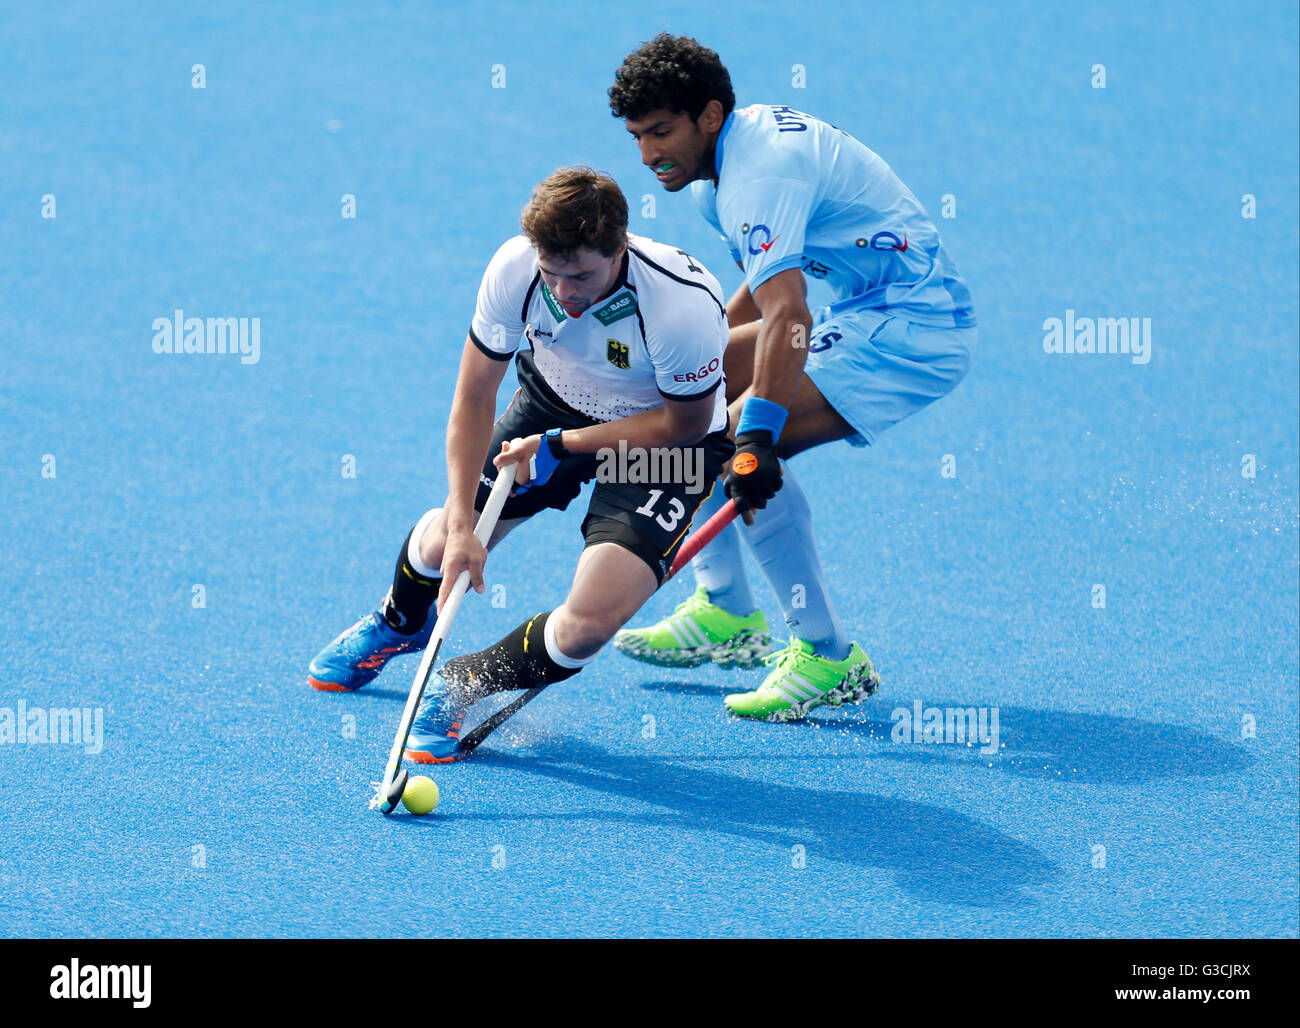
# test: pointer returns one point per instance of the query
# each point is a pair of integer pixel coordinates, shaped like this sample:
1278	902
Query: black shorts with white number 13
643	502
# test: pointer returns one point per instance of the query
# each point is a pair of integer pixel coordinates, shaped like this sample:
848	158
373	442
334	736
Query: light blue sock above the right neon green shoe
782	541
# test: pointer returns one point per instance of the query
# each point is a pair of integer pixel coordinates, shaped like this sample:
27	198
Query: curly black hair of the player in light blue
670	73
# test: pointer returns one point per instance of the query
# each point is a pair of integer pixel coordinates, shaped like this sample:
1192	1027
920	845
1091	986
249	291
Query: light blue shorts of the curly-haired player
876	368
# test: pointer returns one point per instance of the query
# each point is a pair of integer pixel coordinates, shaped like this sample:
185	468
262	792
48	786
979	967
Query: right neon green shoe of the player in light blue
803	680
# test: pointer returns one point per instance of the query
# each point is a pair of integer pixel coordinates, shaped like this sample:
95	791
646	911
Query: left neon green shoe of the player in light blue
696	634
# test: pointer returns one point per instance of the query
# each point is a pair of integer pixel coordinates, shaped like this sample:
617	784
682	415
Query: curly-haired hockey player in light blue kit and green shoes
794	198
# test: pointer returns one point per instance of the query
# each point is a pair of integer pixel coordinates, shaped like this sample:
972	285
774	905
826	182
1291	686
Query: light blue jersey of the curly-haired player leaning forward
798	193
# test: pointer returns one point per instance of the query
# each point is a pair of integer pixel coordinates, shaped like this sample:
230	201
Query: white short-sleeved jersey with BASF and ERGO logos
660	333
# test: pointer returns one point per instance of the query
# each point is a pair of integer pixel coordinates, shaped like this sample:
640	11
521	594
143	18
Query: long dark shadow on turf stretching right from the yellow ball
935	853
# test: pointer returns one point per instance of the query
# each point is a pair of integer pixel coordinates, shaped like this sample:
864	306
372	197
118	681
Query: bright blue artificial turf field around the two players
1123	728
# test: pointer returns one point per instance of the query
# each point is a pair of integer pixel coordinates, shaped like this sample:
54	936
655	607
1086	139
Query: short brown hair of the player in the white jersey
577	209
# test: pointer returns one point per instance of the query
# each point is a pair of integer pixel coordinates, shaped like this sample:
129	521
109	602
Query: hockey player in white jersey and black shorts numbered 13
618	342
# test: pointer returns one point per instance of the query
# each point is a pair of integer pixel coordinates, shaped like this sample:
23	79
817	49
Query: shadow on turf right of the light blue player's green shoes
1041	744
